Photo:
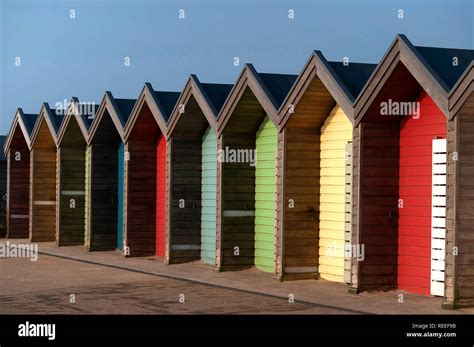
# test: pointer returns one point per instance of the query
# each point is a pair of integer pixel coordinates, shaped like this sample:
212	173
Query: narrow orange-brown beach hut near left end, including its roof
43	174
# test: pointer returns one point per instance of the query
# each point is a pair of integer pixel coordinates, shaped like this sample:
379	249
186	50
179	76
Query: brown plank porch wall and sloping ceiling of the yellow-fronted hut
299	185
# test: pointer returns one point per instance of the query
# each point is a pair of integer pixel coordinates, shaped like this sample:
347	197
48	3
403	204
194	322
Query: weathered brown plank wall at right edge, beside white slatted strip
459	280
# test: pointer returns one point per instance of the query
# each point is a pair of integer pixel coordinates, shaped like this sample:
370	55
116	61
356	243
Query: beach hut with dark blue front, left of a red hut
105	165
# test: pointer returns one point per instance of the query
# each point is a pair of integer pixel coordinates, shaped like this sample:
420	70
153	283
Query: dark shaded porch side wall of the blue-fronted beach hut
103	185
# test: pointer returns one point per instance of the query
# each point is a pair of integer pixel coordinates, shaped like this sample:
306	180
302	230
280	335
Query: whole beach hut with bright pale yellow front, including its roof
314	178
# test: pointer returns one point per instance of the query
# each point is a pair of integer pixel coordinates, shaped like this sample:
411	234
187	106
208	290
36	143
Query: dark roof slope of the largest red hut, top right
441	61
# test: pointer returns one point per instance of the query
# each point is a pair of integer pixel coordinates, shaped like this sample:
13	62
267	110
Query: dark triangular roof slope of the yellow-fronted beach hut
354	75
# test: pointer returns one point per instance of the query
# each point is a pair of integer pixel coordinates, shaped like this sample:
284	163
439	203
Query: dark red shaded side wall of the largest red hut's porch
378	204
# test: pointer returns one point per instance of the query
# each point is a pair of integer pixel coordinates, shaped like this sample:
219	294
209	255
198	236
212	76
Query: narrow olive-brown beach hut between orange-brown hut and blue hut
71	164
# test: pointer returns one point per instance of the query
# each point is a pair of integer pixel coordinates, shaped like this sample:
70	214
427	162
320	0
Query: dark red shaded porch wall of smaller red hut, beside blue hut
140	197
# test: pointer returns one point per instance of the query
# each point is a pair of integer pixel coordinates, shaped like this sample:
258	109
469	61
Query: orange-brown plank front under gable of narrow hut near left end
43	187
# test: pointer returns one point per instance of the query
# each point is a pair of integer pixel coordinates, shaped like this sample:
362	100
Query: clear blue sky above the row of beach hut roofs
63	57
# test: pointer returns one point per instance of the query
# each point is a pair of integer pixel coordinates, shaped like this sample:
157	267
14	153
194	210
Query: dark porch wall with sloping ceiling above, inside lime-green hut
236	190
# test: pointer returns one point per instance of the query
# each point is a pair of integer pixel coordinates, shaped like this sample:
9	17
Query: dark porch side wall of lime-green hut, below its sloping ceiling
238	194
